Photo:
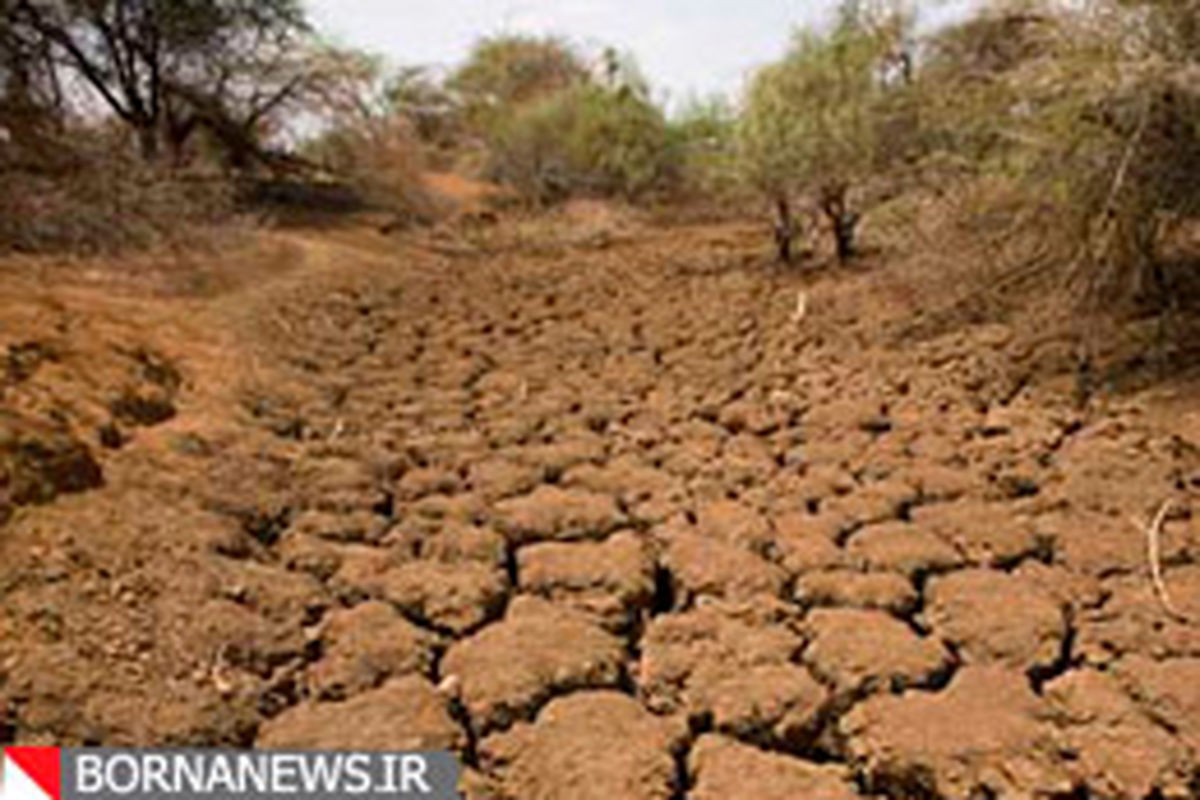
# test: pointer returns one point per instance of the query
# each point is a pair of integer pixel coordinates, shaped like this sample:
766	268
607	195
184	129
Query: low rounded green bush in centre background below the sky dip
587	140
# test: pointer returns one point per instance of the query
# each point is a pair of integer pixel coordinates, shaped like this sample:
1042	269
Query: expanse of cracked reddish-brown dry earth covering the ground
608	522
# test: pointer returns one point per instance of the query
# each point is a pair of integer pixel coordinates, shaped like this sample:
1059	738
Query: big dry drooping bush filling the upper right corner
1088	117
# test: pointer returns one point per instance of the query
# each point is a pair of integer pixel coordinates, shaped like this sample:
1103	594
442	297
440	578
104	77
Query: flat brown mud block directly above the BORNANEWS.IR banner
404	714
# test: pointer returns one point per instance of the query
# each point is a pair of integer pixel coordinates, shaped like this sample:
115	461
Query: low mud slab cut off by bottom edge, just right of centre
721	769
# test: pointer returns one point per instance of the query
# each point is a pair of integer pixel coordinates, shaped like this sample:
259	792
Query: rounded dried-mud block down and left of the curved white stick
997	618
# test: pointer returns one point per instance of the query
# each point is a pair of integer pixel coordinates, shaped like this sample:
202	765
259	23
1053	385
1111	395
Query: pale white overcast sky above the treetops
683	46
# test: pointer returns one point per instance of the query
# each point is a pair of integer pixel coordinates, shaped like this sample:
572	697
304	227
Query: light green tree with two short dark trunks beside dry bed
811	123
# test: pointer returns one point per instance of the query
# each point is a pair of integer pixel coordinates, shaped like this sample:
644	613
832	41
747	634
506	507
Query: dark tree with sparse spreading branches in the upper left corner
169	68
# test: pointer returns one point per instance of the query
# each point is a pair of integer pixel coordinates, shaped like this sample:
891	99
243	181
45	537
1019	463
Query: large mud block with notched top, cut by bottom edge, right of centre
985	736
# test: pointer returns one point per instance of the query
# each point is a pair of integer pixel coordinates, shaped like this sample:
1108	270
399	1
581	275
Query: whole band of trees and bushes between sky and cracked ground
1070	125
